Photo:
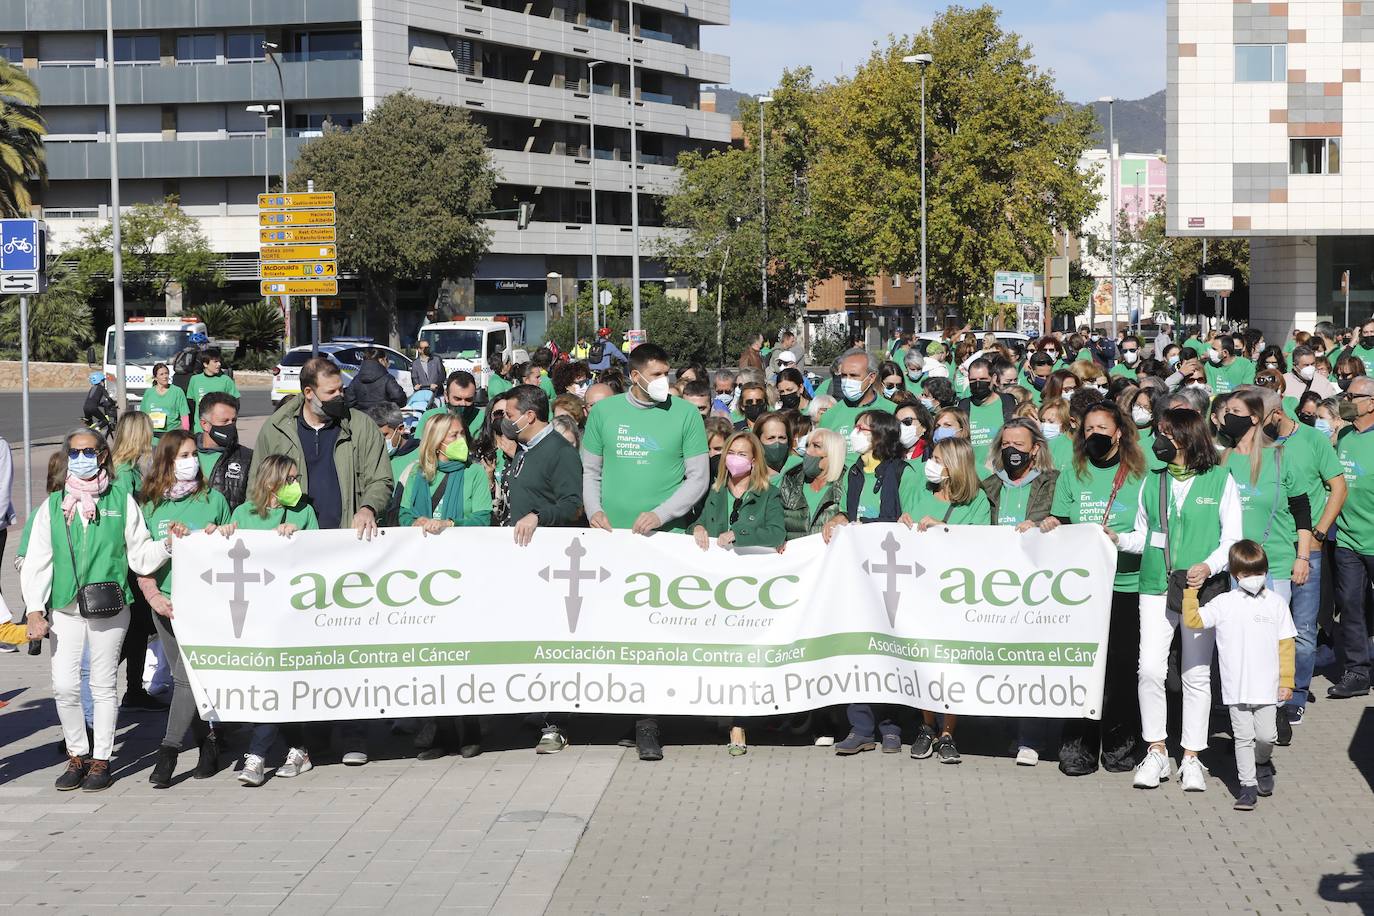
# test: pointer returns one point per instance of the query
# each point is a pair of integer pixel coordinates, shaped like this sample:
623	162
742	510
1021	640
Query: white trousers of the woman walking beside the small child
1158	628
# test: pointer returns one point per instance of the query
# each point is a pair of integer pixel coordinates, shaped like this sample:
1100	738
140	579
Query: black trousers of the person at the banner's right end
1118	735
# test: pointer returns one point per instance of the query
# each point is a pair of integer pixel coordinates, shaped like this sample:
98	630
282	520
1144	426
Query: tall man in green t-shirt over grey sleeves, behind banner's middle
645	469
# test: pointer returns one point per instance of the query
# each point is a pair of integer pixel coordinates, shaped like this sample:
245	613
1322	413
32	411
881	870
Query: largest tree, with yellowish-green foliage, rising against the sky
1002	150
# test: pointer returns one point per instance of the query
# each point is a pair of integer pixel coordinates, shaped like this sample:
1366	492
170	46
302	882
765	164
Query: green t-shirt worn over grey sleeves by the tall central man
644	454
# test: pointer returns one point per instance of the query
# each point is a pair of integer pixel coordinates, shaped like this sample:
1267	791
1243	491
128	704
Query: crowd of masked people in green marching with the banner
1228	472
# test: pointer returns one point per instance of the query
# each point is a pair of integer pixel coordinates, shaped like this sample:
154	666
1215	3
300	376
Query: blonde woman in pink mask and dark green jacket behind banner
743	510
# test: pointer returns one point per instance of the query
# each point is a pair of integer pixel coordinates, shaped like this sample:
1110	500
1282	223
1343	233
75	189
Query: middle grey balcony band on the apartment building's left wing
201	83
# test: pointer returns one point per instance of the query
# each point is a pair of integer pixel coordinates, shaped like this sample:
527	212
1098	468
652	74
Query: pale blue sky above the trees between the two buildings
1096	47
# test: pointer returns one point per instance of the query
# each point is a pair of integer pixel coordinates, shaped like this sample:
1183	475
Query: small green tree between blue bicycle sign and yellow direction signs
161	247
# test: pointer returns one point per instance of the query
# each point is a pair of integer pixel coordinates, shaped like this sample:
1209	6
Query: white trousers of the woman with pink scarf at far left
72	634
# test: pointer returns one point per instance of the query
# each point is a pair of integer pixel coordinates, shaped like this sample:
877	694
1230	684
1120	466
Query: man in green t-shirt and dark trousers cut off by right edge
1354	556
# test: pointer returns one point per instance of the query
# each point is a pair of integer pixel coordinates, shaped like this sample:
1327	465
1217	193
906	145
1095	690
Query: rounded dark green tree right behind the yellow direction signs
413	183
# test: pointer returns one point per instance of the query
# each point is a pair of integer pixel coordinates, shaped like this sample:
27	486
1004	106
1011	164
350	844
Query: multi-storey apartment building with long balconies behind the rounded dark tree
188	72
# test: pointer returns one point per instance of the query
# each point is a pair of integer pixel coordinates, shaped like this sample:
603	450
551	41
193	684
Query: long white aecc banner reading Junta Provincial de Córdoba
962	620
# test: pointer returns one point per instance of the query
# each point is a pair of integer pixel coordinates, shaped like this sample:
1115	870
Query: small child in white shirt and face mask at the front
1255	649
